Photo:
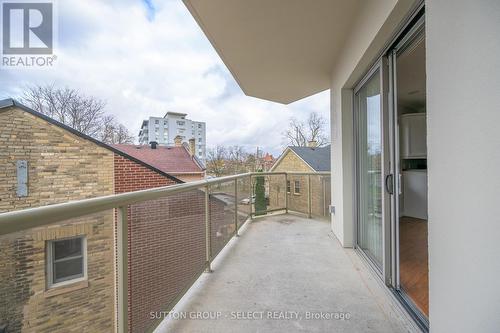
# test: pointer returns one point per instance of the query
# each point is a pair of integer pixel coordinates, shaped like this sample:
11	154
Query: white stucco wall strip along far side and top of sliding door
374	27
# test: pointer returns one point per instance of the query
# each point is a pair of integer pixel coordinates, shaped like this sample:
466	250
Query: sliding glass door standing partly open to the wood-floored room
390	162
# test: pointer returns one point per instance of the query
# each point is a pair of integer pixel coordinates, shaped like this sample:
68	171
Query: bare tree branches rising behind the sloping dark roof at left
83	113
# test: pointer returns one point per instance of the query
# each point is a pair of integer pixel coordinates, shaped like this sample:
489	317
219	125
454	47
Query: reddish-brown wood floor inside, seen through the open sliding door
413	256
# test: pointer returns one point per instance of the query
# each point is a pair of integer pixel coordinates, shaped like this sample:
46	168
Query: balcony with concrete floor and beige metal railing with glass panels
267	250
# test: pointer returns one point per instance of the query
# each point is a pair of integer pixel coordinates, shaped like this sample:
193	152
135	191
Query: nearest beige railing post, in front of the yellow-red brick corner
122	256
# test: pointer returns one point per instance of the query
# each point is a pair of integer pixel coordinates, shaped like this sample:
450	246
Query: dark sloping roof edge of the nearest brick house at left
9	102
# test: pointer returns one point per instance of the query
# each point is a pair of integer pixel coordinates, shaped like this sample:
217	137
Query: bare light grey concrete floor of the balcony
291	266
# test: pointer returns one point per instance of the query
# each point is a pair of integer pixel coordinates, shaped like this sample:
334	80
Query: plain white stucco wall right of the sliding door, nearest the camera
463	105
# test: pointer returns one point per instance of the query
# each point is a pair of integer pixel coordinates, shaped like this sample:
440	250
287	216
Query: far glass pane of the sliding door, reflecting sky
369	168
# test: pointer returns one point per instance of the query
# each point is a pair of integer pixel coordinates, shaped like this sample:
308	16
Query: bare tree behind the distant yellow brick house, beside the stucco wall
299	133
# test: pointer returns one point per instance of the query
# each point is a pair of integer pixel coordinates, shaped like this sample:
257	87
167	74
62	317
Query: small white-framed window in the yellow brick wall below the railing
66	261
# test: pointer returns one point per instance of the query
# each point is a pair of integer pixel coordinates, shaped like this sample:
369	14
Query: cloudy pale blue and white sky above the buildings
147	57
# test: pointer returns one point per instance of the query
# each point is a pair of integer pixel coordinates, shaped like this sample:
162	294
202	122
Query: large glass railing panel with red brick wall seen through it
167	252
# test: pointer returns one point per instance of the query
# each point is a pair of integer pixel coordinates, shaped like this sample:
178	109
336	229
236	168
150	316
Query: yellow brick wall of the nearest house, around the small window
61	167
